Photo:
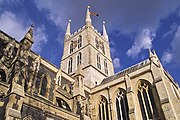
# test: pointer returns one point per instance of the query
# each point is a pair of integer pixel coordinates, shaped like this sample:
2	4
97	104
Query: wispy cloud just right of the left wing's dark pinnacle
40	39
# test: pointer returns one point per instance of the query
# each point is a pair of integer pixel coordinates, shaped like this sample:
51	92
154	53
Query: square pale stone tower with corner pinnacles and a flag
90	49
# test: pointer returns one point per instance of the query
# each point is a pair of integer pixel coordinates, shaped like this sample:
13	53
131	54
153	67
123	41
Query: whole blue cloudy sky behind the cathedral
133	27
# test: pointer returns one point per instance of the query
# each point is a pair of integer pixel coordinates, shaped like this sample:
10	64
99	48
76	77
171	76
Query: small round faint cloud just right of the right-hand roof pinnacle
166	58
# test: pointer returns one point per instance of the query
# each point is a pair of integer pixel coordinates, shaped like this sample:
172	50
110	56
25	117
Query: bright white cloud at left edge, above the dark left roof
12	25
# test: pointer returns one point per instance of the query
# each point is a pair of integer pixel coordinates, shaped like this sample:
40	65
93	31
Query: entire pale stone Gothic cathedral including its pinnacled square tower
85	87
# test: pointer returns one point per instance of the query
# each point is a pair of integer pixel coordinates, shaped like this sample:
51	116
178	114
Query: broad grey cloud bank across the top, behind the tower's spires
123	15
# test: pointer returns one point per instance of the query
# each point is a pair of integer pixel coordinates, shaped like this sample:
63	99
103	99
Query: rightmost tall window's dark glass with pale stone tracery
147	101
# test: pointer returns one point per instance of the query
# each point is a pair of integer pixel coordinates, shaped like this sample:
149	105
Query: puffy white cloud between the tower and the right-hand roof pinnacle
143	40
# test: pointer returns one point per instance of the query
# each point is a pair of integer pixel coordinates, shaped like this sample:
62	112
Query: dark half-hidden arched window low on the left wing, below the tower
63	104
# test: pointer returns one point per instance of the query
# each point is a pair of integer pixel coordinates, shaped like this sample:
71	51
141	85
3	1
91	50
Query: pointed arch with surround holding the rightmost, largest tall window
146	97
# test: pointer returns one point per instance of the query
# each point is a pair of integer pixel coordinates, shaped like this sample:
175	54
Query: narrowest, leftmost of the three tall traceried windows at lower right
103	109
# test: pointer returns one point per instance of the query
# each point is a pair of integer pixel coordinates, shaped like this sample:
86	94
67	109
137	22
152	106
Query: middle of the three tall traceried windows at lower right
122	106
